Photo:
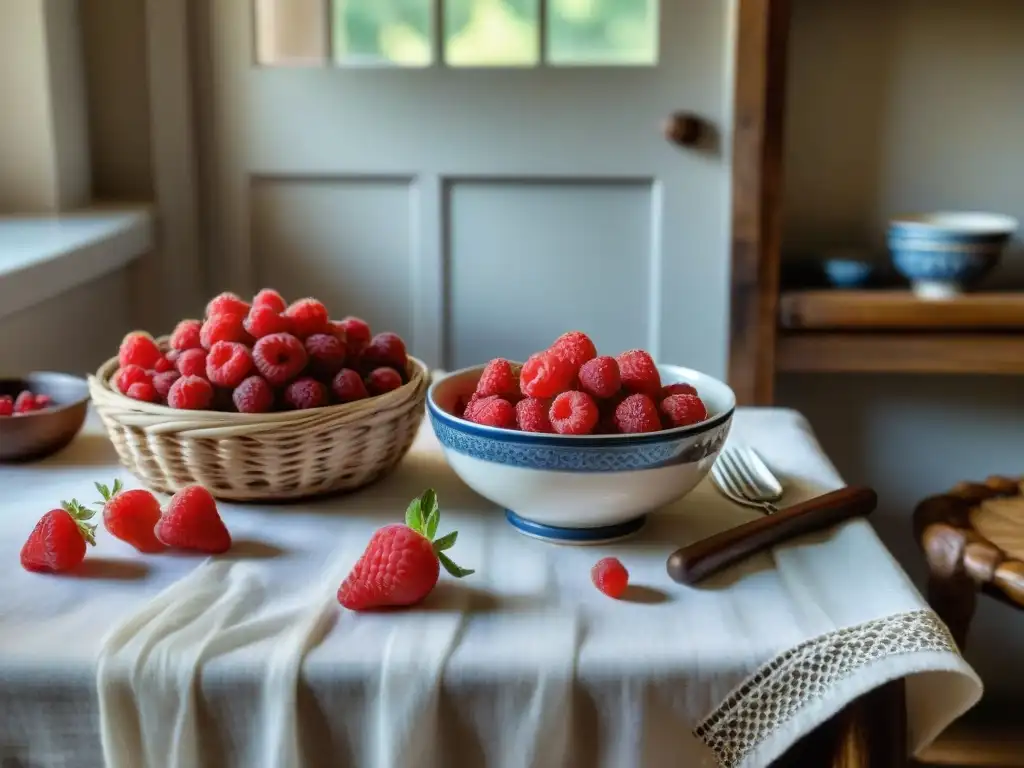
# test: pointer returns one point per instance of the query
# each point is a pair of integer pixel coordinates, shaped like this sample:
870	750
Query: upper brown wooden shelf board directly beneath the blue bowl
875	311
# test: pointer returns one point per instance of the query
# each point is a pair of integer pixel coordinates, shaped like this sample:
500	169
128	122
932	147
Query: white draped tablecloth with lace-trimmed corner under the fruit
248	661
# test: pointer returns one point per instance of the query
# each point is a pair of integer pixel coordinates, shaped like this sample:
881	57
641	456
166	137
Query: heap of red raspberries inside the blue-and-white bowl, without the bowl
571	390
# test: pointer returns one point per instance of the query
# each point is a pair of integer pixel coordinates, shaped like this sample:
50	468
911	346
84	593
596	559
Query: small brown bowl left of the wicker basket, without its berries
41	434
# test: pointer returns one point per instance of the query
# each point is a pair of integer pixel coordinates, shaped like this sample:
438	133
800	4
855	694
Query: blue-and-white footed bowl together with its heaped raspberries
579	447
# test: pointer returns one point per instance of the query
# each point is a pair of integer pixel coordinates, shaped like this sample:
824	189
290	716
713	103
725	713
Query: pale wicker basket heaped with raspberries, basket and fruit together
262	401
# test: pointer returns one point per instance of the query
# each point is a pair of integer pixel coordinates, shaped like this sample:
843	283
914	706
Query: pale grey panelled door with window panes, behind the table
478	176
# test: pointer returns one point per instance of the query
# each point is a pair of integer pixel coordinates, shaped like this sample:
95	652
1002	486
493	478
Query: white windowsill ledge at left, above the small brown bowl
44	257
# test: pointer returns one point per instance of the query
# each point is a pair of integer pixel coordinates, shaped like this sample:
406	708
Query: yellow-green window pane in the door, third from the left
492	33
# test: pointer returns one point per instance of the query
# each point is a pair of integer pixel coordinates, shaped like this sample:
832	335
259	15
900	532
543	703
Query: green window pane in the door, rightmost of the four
603	32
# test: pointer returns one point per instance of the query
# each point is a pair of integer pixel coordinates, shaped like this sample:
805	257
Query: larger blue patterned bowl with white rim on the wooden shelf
945	253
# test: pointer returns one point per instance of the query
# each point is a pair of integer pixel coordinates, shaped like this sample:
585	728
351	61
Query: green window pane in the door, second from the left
382	32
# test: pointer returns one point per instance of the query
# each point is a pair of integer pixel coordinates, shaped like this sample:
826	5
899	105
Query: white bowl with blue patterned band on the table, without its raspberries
580	490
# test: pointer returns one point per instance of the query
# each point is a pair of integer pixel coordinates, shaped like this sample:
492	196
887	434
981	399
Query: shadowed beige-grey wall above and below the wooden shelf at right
898	106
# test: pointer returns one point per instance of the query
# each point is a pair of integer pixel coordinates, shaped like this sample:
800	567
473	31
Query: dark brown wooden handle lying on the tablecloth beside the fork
701	560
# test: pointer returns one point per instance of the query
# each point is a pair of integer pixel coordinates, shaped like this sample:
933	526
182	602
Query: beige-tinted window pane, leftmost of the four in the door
291	32
